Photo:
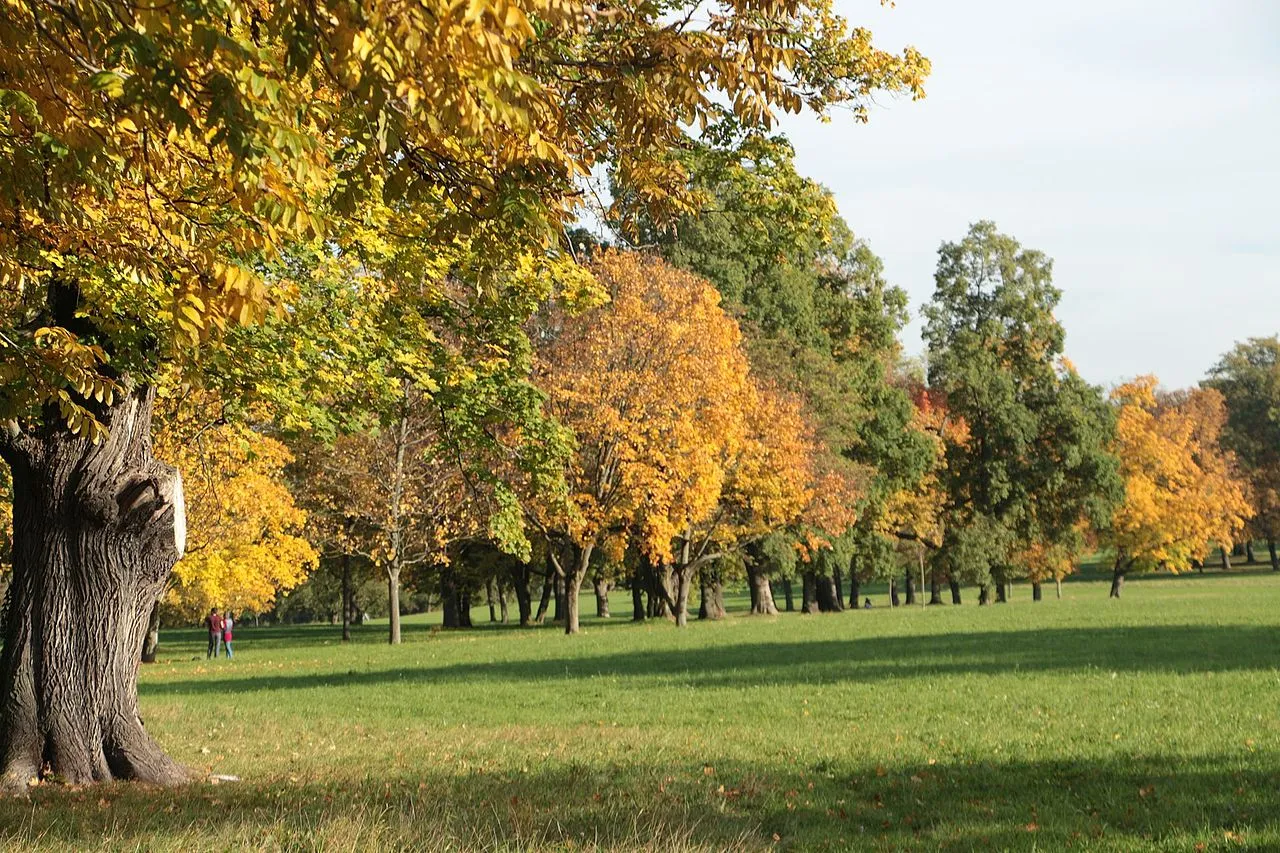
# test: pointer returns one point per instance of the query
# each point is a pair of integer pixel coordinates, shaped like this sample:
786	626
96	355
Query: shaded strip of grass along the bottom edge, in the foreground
1128	804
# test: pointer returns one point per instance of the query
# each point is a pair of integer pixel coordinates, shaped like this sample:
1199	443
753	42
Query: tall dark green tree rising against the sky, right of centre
1036	459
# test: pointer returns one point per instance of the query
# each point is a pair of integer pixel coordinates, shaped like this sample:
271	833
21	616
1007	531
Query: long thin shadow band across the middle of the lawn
1165	649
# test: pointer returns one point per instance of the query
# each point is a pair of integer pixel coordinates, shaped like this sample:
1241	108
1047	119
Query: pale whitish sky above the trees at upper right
1137	143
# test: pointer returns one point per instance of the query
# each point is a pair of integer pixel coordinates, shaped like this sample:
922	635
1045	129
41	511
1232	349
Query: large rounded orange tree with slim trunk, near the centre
655	387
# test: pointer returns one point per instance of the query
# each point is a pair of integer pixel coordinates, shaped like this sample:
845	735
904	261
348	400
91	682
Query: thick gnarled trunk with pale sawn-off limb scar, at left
97	530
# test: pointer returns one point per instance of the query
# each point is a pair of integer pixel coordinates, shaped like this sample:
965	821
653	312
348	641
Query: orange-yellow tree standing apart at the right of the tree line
1181	490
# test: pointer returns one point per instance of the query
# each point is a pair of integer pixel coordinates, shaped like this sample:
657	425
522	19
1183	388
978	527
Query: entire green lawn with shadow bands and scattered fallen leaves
1080	724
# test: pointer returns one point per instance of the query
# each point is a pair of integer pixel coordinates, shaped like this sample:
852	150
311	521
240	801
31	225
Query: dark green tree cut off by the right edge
1249	378
